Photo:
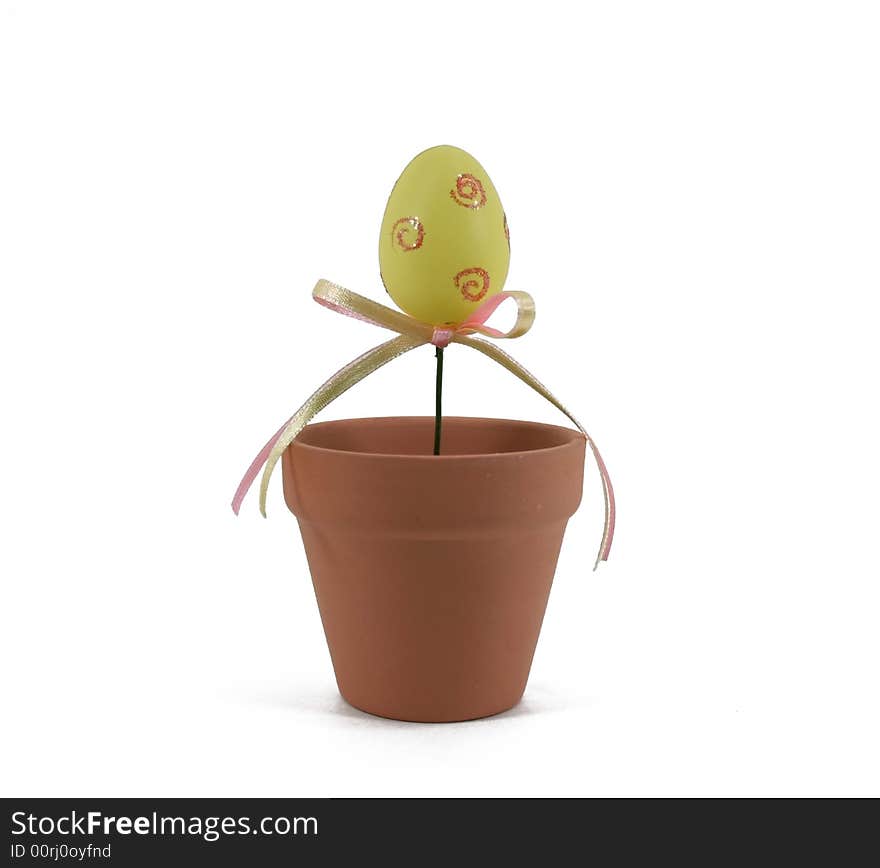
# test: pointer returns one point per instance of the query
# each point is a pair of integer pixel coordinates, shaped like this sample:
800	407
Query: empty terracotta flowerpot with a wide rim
432	573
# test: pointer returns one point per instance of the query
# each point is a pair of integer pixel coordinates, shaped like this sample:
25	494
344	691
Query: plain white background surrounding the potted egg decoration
692	191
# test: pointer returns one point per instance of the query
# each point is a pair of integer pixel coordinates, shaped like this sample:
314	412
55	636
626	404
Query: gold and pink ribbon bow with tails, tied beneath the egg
412	334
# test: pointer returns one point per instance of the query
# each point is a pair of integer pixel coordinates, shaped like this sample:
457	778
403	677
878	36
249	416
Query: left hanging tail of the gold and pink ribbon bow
340	382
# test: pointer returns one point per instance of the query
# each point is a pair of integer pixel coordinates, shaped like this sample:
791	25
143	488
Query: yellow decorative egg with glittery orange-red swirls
444	246
